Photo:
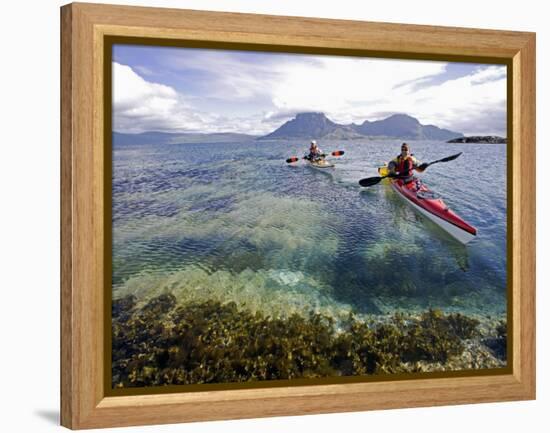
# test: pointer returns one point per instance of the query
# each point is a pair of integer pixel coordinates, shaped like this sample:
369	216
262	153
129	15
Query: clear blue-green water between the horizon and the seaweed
234	222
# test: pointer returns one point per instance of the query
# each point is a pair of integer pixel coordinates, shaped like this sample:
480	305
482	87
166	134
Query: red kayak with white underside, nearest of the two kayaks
427	203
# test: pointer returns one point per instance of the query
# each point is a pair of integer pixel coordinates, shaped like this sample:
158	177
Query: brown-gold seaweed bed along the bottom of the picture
163	343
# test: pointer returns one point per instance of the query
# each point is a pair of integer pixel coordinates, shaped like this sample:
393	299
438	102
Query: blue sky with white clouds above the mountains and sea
198	90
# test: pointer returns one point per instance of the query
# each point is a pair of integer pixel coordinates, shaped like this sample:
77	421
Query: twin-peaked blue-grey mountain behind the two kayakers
317	126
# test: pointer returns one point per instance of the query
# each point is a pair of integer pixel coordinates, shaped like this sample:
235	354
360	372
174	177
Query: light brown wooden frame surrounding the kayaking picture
84	29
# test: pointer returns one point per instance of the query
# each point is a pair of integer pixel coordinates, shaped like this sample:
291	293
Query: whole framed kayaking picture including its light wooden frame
267	216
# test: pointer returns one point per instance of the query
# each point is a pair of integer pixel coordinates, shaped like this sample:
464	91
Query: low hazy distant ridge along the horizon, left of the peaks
155	137
